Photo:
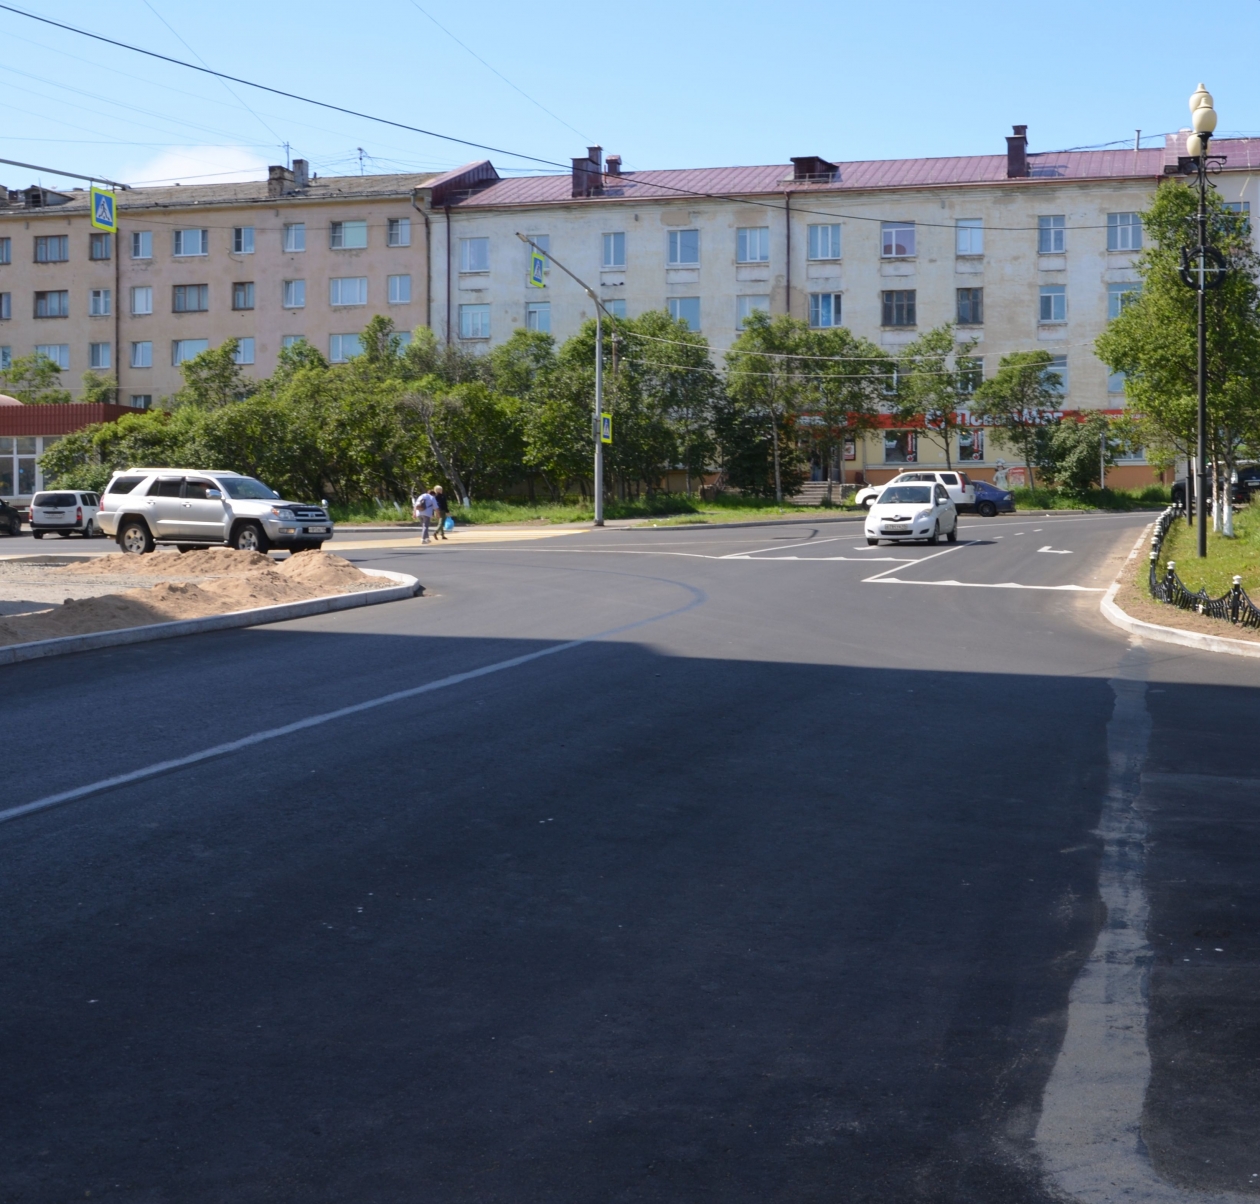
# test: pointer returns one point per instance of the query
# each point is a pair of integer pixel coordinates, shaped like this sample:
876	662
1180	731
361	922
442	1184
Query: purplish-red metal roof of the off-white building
860	176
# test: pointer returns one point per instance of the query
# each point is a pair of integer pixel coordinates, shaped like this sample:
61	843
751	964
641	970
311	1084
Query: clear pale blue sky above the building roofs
662	84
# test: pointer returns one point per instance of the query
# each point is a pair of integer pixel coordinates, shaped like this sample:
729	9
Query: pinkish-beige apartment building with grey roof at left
265	263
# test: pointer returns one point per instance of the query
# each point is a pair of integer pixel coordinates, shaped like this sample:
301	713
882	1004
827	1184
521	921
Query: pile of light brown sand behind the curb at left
241	581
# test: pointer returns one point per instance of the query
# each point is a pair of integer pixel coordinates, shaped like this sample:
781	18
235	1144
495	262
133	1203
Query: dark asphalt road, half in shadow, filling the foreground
733	866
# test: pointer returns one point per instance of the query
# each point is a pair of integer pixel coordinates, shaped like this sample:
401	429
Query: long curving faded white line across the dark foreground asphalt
161	768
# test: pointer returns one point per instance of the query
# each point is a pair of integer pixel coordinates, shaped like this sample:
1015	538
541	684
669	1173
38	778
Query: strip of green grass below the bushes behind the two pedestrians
670	508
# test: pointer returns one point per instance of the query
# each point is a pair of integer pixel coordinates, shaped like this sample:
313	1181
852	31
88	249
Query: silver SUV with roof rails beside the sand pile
193	508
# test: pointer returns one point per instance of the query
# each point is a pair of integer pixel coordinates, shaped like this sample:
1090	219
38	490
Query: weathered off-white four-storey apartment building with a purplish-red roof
1021	251
